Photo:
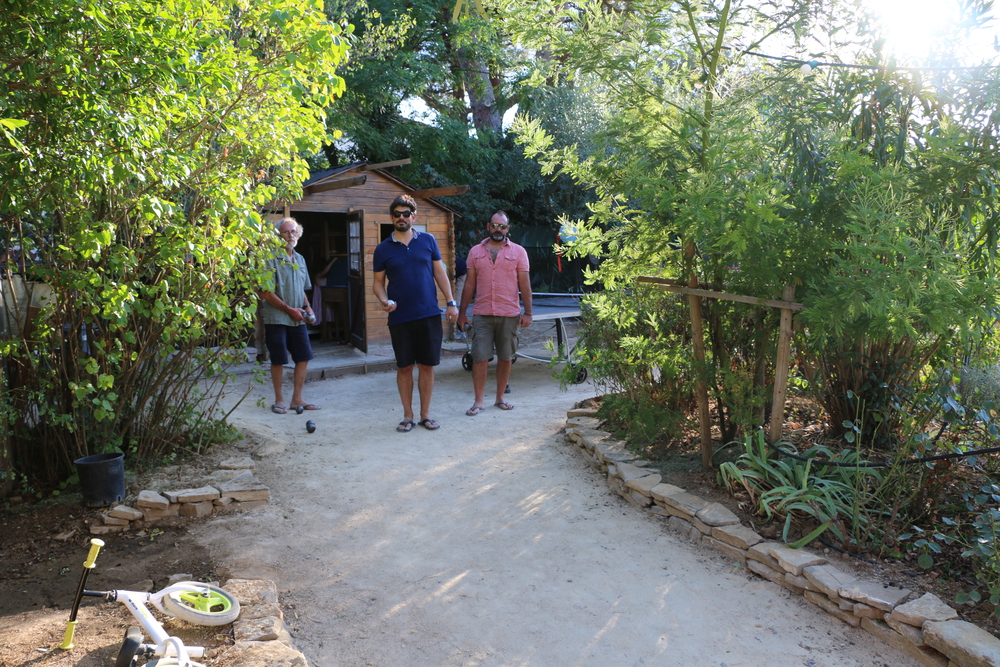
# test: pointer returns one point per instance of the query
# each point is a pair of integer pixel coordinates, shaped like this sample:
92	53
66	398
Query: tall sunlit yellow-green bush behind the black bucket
154	135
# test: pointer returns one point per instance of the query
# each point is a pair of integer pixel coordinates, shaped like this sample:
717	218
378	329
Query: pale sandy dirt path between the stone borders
489	542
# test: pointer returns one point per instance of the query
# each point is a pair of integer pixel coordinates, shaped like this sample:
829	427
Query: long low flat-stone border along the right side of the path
924	628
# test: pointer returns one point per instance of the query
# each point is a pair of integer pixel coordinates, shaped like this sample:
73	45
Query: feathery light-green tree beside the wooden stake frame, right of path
682	156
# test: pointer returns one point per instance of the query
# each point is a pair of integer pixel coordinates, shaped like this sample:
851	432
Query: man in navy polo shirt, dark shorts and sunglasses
412	263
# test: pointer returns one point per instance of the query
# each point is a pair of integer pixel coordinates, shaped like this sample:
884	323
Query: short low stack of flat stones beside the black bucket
232	486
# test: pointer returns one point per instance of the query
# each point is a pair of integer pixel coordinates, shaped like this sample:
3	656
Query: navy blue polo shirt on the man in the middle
409	270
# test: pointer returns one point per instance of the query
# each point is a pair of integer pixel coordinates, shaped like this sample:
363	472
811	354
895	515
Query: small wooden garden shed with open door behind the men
344	213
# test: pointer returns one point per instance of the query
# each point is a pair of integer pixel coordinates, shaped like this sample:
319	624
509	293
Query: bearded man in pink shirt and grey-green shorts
497	272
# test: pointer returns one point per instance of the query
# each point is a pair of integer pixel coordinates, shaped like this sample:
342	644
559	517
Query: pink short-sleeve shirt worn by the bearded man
496	282
